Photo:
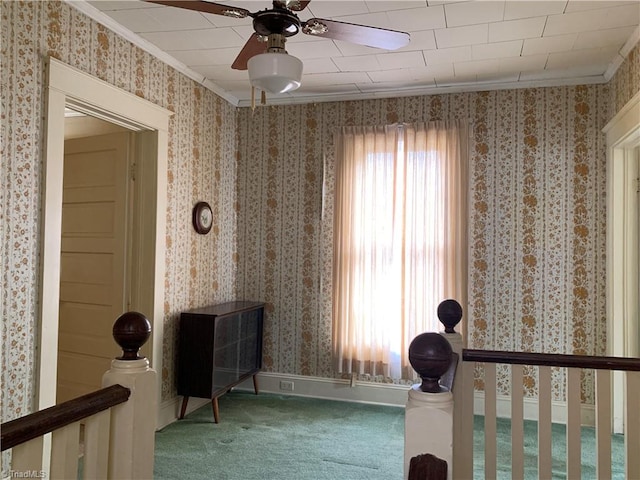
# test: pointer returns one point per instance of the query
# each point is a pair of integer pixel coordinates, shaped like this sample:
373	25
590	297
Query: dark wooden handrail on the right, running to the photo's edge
551	360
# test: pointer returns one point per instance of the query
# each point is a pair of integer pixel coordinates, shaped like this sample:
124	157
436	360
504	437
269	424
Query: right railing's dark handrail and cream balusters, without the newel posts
575	365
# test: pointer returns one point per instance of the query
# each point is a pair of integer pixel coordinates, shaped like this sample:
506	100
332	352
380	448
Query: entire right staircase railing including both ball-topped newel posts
439	418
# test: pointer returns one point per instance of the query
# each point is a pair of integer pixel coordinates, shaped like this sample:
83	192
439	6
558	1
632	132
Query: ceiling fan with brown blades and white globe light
261	55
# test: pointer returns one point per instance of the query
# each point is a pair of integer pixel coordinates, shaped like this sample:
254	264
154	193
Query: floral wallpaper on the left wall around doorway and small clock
199	269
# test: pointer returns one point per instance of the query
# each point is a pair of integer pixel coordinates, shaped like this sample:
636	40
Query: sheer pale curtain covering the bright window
399	240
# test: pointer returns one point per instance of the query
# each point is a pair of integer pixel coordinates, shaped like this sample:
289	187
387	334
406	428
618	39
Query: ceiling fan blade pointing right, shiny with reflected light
359	34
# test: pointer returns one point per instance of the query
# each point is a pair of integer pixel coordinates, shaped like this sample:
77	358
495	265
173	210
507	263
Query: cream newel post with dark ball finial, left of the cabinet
133	423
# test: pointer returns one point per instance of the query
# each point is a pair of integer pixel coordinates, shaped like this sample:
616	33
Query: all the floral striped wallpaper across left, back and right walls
536	225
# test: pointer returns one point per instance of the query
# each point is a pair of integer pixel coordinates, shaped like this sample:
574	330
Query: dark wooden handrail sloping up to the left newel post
44	421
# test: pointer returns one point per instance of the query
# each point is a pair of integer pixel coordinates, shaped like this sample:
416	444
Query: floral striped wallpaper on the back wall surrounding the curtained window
537	225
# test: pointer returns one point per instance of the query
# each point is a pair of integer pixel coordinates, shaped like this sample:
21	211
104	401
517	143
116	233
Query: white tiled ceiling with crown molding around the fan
455	45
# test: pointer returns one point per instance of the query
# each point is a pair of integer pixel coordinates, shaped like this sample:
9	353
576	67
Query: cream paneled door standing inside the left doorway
93	263
